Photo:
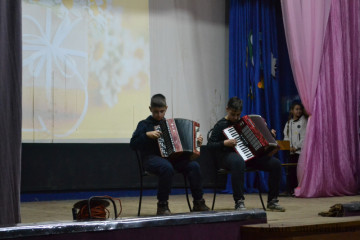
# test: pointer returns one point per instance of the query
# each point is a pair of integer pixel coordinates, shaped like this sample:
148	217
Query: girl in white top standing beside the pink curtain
294	132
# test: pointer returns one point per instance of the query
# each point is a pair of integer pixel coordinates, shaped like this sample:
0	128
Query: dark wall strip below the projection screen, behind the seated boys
90	167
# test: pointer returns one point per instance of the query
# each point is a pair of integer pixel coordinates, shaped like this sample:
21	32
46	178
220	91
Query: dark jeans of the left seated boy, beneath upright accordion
165	170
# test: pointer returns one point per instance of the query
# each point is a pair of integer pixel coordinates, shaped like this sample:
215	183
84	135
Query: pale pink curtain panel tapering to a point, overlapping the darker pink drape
305	24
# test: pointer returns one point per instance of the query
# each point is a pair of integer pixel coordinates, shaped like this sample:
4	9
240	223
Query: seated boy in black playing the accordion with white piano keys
231	160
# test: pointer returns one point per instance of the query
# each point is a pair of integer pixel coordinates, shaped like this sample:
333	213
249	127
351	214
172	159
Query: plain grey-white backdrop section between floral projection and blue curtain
189	58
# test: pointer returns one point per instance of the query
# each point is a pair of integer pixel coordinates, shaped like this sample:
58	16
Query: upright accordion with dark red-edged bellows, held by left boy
178	138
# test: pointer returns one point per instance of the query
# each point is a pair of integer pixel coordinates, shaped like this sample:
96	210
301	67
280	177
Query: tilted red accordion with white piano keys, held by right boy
253	137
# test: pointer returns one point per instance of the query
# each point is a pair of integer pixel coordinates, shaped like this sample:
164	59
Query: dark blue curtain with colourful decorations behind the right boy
256	75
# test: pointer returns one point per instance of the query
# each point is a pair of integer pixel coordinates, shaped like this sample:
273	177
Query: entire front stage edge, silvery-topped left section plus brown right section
244	225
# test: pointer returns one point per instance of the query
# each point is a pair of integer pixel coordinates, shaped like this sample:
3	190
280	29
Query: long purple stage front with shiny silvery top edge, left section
194	225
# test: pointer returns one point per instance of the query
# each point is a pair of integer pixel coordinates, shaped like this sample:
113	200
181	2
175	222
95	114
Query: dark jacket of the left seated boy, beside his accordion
139	140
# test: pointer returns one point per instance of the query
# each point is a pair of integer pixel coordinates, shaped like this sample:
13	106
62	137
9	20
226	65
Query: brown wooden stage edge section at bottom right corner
343	230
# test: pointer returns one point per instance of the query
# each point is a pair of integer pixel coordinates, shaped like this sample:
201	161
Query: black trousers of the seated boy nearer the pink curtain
236	165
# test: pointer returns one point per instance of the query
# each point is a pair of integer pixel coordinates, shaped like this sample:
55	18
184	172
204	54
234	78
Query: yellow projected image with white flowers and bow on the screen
85	69
